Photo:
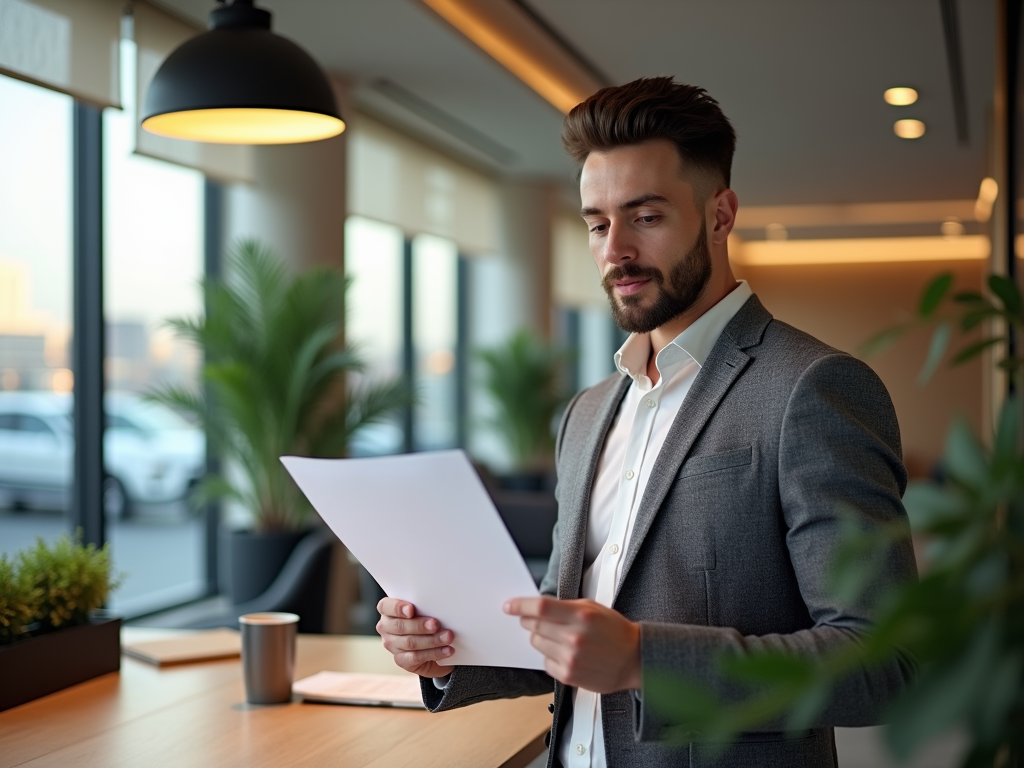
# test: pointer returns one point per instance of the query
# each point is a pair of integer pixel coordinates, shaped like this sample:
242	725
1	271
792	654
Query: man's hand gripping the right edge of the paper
585	645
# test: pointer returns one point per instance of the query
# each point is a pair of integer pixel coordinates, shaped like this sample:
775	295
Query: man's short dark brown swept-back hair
651	109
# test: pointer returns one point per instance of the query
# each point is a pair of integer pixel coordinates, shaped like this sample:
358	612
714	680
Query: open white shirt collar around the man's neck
696	343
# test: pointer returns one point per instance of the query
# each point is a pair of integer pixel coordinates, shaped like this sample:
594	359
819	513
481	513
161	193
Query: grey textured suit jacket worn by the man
734	538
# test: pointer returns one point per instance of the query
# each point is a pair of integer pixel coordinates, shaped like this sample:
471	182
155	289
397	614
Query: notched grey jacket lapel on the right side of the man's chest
723	367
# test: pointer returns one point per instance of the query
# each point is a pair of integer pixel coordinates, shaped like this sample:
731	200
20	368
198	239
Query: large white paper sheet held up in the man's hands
426	530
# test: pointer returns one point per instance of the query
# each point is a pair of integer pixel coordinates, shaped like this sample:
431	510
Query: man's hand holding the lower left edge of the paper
416	643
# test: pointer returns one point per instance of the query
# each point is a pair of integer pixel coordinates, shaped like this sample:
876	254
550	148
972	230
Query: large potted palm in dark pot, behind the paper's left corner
276	377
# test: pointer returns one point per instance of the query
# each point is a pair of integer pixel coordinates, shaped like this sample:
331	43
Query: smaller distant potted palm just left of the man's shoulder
525	377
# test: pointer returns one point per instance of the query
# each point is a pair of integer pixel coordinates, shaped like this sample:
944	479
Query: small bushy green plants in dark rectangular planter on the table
52	633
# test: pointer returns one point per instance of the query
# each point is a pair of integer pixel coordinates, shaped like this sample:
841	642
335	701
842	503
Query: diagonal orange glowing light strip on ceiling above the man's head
547	81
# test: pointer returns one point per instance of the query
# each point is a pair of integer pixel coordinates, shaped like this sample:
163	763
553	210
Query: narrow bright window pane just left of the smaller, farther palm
436	275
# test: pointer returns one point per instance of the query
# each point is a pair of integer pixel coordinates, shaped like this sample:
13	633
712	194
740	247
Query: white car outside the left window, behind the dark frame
151	454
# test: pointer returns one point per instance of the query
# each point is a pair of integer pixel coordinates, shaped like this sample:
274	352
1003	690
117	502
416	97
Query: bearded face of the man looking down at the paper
648	237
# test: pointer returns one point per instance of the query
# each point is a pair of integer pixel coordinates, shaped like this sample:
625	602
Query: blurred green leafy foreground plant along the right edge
963	621
